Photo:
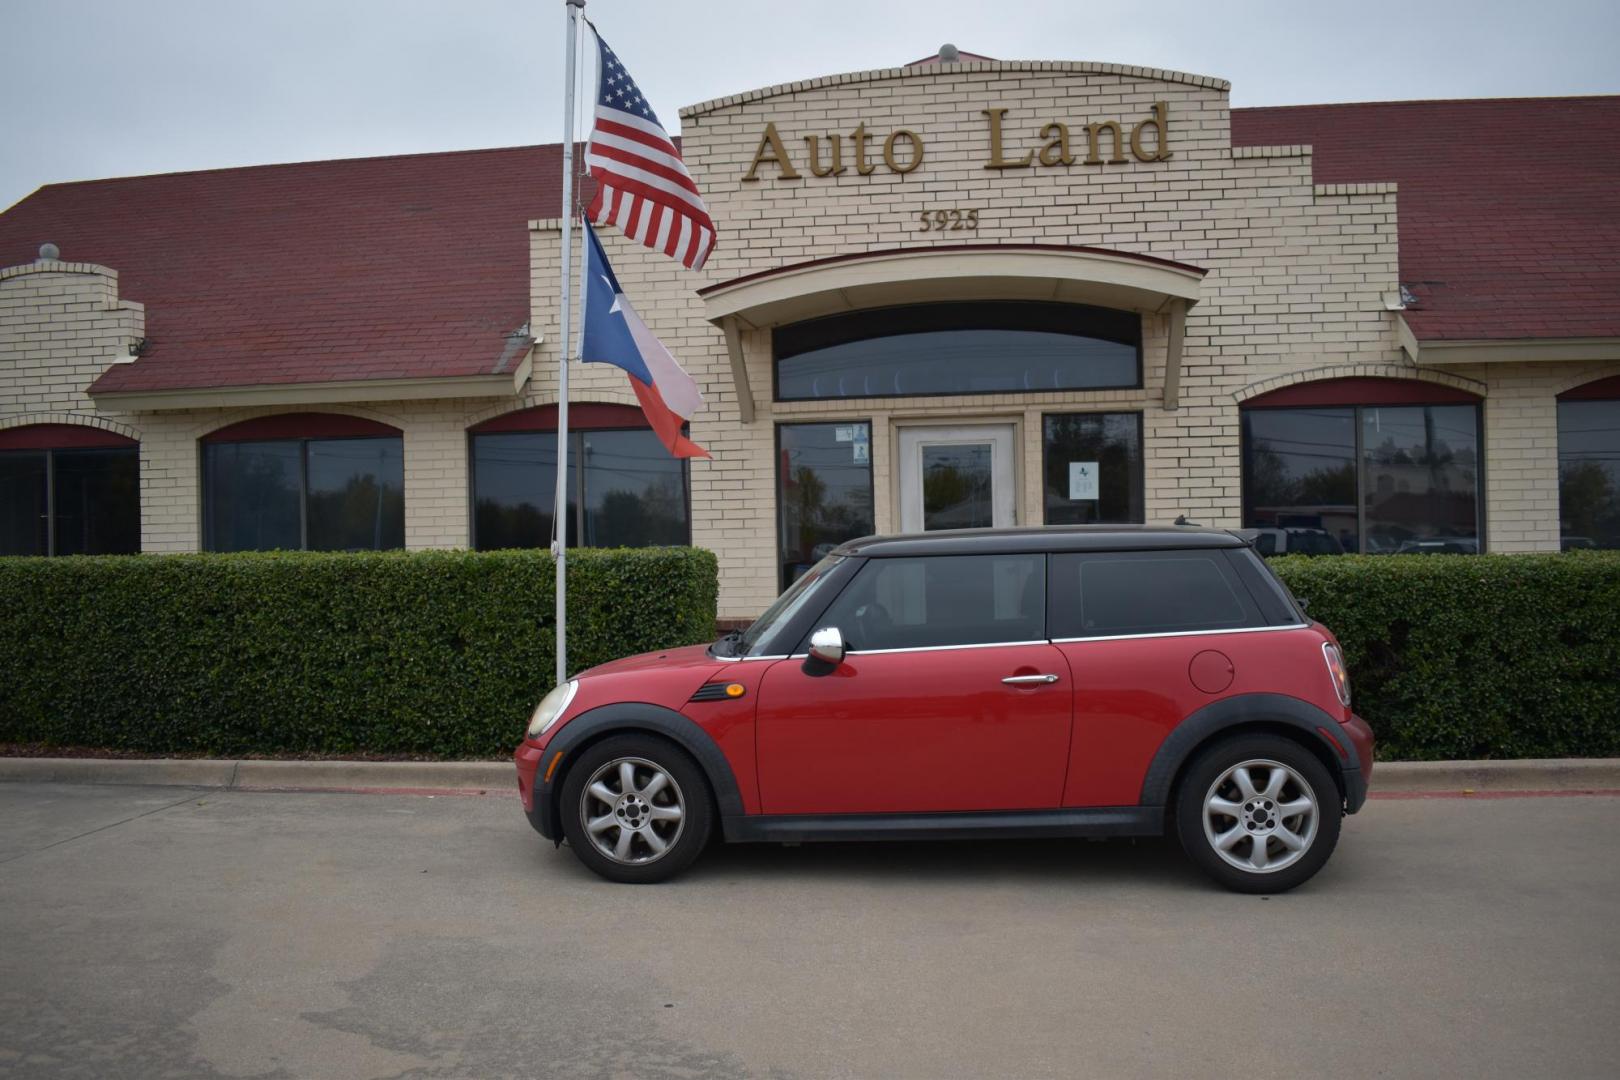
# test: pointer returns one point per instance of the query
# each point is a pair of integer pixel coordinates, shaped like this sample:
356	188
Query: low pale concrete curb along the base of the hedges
1389	778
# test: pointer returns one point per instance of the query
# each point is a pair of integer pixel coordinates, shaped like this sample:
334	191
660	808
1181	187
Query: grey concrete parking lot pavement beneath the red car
160	932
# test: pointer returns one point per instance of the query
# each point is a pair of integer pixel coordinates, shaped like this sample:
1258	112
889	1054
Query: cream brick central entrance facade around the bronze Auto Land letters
1297	273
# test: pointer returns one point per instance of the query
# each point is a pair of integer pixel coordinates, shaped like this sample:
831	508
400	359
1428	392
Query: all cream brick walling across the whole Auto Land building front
1295	292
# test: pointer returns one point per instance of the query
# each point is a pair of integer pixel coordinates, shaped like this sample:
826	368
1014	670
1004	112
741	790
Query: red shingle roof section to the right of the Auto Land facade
1509	210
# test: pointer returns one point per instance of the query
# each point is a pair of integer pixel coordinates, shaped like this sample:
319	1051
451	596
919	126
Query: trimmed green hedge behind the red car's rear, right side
1477	657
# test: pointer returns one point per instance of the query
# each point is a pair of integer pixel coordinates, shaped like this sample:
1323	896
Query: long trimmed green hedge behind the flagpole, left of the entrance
407	653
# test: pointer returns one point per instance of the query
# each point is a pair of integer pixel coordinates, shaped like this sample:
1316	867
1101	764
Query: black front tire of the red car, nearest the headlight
684	788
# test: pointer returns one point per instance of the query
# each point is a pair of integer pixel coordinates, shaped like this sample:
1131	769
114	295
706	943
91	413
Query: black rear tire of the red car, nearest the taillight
1258	820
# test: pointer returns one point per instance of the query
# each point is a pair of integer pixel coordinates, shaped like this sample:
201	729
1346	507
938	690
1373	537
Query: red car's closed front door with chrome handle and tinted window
949	699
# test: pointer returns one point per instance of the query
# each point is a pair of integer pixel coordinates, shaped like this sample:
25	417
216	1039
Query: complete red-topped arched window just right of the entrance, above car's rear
1363	466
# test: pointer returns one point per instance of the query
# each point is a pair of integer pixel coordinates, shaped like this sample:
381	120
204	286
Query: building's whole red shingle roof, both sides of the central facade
417	266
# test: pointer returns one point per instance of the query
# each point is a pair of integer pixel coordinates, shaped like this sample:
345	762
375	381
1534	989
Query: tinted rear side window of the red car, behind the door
1099	595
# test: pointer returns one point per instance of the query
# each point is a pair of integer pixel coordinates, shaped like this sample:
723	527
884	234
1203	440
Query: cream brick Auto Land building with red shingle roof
949	294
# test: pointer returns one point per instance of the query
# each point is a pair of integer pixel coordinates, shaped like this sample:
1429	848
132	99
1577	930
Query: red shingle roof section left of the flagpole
380	268
